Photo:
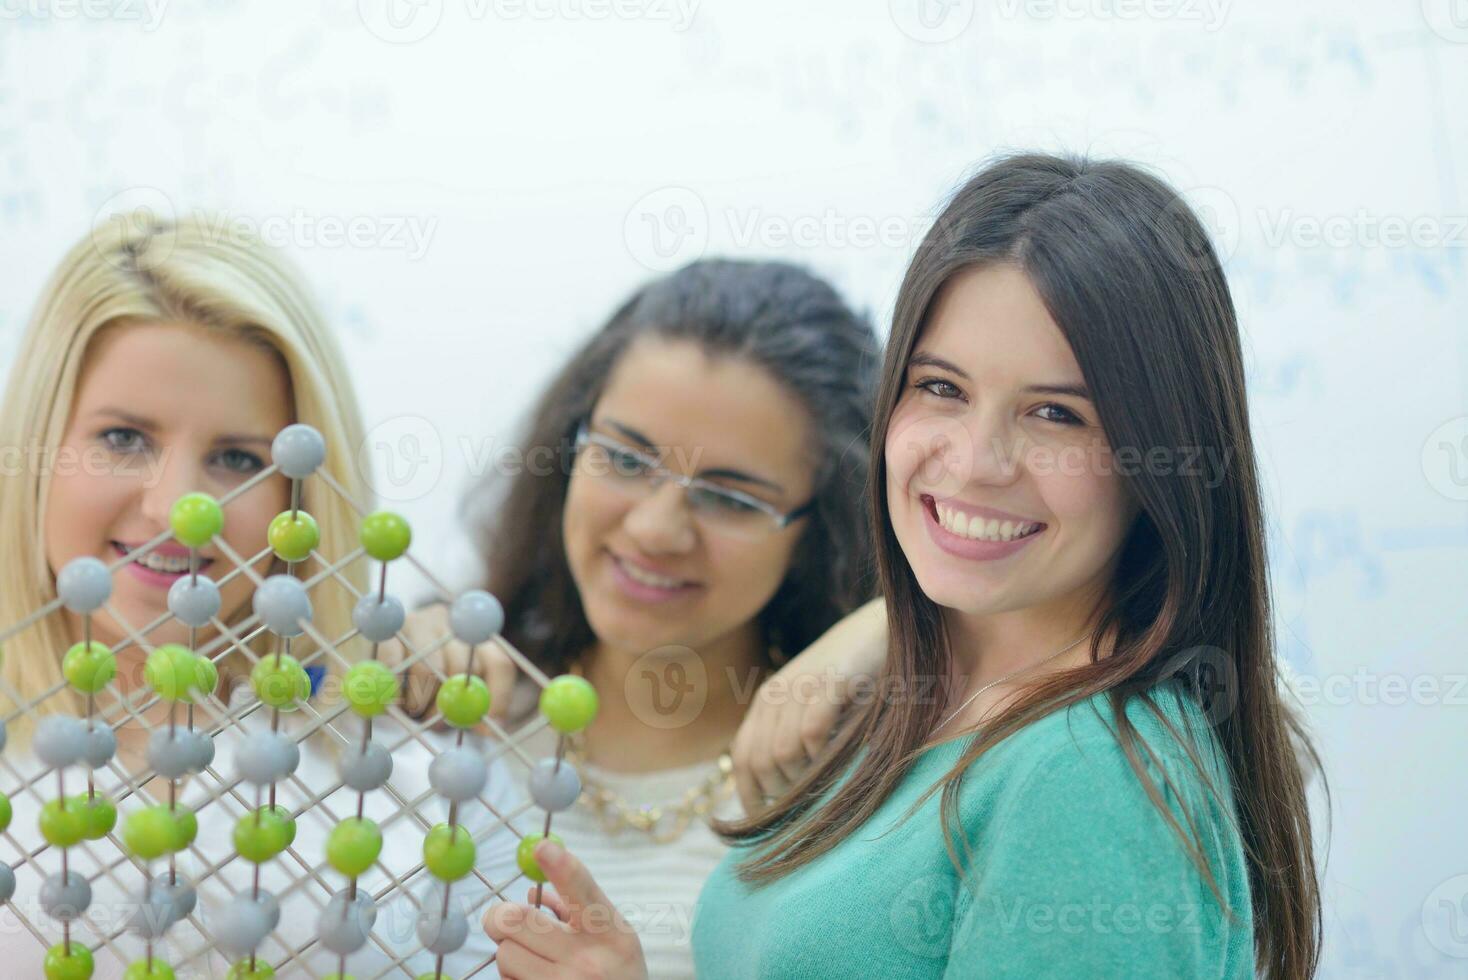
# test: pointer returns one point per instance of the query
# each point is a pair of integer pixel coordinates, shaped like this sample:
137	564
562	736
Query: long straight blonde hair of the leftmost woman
190	272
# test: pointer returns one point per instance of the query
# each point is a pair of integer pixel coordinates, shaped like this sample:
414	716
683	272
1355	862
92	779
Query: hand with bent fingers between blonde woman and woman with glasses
432	652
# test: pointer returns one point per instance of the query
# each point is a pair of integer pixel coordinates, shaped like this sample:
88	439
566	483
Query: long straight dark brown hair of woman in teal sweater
1127	272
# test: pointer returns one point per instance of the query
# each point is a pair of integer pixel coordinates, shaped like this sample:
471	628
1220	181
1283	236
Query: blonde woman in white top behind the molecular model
164	360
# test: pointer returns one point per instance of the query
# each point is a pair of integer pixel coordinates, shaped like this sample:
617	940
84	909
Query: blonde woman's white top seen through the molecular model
287	877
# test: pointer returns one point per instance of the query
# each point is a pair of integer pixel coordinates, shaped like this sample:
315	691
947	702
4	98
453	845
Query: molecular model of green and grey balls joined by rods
158	837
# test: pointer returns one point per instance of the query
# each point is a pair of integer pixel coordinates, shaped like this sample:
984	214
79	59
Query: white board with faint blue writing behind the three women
516	167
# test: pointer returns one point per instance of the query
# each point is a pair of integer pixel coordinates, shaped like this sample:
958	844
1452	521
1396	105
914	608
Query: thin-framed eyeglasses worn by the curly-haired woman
717	508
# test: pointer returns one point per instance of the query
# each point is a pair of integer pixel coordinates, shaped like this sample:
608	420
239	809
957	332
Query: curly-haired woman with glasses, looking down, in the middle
691	516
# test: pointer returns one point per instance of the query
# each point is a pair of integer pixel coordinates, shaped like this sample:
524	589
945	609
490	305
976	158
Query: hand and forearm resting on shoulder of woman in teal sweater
796	711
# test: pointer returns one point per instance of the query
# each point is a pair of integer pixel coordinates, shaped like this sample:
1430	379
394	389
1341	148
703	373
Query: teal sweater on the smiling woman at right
1075	872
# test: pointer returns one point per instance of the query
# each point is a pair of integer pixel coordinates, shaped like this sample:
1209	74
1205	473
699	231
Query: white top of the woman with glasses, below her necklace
654	885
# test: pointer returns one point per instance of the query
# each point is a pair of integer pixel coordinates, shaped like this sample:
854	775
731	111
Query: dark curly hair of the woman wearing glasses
780	319
